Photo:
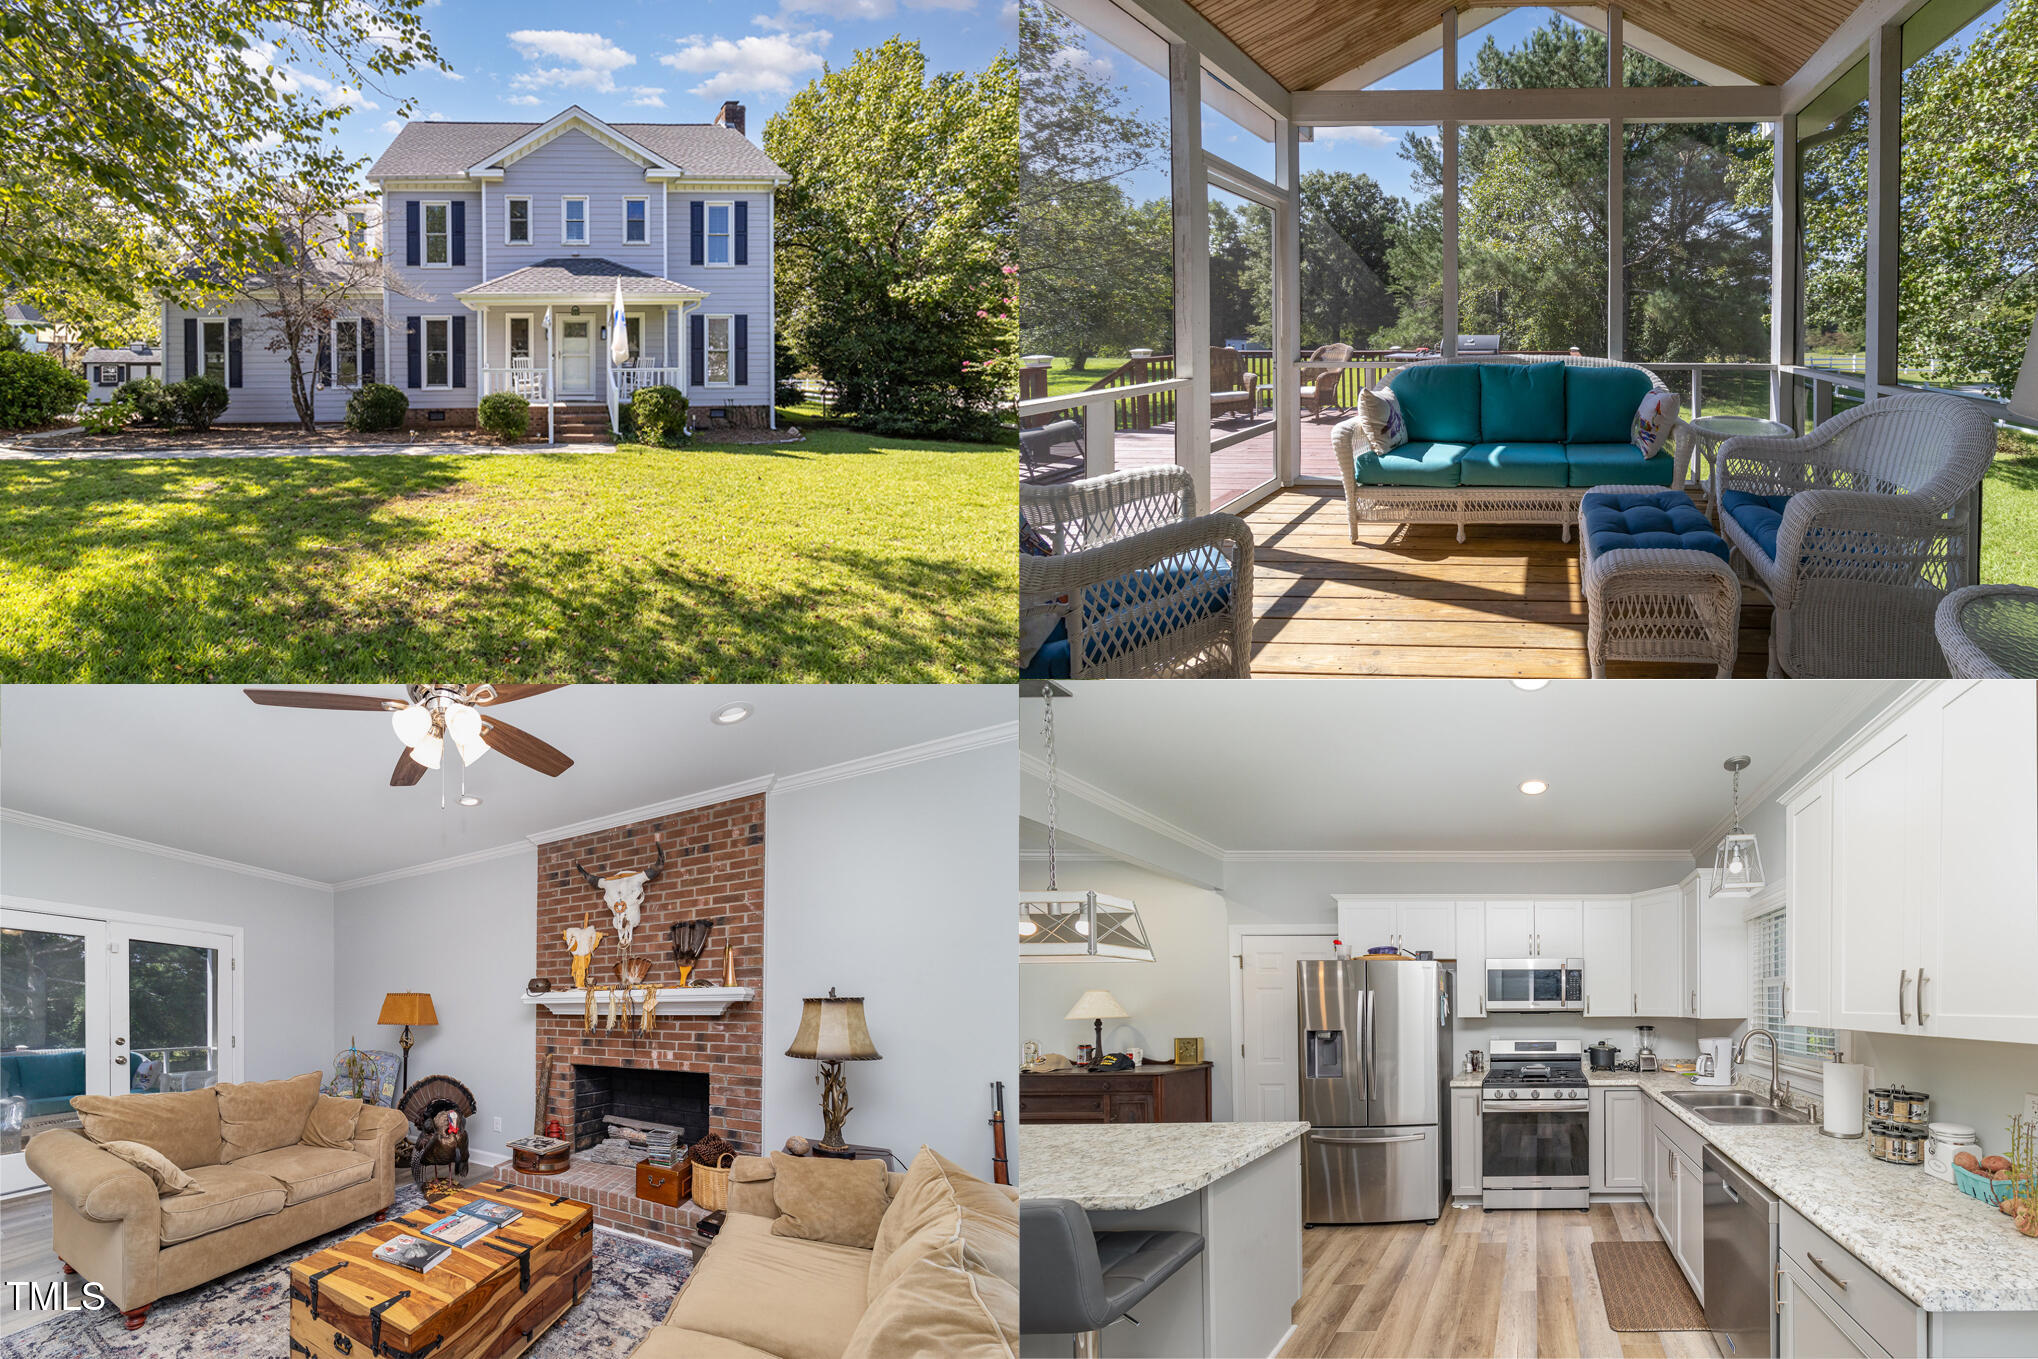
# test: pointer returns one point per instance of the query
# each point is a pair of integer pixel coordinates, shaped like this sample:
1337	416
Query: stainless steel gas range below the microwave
1536	1146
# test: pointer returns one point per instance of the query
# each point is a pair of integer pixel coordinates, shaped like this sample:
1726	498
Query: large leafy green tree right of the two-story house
896	239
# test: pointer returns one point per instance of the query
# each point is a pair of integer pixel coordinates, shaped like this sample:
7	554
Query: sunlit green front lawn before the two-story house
839	559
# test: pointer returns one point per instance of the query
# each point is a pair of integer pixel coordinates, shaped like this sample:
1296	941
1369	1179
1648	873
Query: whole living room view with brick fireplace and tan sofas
676	981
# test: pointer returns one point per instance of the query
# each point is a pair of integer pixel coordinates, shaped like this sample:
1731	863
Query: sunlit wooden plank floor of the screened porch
1411	600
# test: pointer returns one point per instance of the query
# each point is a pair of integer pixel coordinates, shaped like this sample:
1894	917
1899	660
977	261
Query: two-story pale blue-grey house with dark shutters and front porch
504	246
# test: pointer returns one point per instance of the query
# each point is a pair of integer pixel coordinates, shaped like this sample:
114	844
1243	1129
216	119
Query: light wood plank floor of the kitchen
1472	1285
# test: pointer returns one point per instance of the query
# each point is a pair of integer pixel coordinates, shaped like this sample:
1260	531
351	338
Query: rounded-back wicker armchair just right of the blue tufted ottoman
1872	539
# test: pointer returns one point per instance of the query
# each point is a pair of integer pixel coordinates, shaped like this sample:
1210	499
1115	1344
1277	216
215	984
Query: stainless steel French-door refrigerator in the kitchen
1377	1067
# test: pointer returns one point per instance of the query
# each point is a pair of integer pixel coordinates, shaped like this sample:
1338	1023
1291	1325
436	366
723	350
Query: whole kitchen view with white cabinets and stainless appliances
1660	975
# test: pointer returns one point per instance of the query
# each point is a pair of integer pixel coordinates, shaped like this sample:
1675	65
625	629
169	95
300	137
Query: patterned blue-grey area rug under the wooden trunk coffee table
248	1313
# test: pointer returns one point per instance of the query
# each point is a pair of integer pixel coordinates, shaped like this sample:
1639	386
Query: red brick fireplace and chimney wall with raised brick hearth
714	869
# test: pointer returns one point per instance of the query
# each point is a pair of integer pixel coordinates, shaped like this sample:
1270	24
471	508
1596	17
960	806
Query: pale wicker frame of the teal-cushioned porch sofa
1483	504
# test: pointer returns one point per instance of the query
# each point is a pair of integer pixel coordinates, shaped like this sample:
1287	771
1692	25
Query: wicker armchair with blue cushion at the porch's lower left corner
1120	584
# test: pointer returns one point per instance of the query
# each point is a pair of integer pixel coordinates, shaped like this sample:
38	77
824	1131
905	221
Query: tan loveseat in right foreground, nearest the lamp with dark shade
941	1283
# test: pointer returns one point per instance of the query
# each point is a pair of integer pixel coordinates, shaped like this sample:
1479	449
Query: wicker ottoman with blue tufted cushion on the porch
1656	576
